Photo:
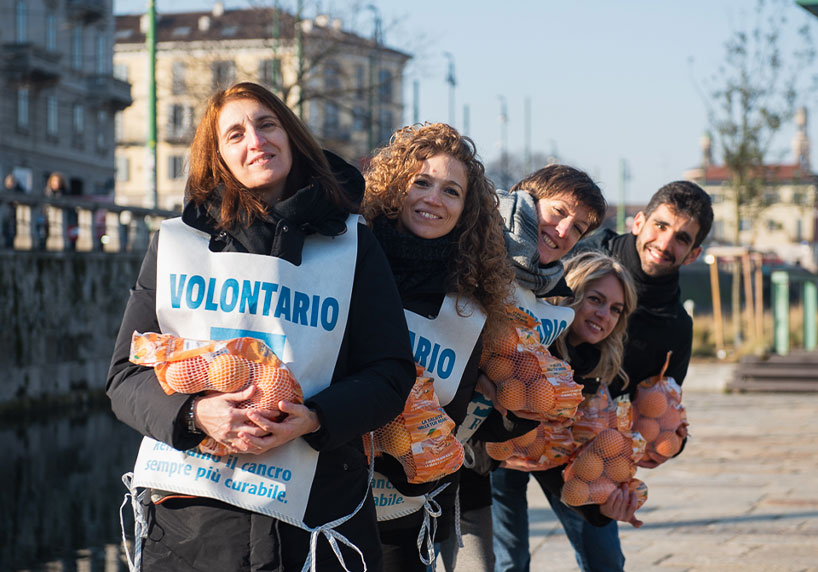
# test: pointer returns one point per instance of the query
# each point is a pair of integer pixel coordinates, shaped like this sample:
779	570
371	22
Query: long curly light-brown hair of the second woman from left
480	271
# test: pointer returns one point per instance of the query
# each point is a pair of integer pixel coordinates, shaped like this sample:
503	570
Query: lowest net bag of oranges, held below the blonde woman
601	465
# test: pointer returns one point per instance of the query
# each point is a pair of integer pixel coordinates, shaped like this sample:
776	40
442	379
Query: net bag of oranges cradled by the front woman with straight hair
184	365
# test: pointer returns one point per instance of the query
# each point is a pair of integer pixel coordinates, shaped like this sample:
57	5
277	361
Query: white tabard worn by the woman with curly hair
443	345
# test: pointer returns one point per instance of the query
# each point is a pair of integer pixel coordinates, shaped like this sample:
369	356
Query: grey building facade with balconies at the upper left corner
59	95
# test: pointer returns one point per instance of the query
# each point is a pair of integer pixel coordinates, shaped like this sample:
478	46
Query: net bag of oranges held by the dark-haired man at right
658	413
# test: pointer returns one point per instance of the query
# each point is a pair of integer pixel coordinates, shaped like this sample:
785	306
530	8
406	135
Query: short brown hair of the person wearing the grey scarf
555	180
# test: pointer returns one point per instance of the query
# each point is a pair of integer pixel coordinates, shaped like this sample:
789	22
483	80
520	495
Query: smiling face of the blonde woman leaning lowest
598	313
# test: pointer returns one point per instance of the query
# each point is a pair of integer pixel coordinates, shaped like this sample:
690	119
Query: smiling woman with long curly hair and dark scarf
435	214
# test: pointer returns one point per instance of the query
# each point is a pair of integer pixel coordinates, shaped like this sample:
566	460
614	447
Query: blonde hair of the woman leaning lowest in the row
580	271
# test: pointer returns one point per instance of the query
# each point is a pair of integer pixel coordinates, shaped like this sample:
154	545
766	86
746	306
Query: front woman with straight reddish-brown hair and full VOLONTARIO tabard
267	247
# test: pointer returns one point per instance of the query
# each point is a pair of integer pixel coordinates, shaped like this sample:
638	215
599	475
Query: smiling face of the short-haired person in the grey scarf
562	222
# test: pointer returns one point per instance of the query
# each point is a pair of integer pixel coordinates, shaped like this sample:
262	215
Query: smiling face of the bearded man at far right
664	241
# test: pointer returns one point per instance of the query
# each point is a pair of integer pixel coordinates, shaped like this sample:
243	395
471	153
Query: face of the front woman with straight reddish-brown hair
255	147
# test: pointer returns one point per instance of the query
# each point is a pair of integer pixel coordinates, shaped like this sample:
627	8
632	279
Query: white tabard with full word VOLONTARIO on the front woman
295	310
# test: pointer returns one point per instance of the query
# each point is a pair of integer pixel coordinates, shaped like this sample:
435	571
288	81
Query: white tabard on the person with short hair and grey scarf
551	322
